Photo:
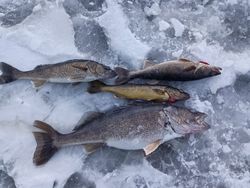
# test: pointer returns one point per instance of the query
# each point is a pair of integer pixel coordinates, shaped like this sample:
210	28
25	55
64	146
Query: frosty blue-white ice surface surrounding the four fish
124	32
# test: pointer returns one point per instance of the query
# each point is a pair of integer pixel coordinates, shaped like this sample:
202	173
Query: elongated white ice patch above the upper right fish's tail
122	40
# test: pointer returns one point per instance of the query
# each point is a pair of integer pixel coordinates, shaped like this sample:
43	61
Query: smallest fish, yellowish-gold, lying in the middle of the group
141	92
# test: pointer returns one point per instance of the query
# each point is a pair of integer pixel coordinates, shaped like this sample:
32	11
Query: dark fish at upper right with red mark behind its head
176	70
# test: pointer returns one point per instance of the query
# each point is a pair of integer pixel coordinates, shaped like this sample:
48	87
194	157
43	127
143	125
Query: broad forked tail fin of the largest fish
45	148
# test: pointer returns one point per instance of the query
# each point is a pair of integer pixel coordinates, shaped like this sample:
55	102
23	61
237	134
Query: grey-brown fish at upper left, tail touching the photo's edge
70	71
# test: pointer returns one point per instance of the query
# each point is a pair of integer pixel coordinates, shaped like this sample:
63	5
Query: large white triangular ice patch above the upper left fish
48	30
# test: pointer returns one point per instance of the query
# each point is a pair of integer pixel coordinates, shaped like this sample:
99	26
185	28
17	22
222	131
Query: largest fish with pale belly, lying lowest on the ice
134	127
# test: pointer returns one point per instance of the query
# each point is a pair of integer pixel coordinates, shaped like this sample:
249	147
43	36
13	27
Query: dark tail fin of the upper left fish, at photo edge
7	73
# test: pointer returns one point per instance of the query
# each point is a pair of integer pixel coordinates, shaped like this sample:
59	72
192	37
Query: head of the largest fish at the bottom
184	121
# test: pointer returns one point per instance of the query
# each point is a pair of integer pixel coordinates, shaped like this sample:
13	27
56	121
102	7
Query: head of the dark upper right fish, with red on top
205	70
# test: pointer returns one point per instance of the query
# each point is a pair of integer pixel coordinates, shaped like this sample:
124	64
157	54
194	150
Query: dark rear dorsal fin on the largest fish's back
86	118
